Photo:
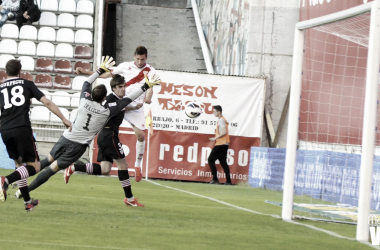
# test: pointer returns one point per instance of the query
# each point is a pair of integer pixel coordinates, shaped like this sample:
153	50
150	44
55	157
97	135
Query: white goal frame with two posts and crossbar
370	110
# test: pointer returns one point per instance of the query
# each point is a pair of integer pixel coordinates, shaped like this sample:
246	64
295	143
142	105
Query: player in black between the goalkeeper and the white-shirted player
110	148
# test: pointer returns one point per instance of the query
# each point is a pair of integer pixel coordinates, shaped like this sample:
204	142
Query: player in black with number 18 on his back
16	130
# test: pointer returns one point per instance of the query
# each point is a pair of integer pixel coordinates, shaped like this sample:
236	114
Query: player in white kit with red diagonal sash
134	72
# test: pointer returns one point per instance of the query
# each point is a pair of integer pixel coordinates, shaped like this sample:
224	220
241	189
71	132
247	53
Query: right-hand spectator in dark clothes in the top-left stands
29	13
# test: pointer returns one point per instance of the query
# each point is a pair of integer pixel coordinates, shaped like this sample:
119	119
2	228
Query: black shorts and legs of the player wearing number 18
20	143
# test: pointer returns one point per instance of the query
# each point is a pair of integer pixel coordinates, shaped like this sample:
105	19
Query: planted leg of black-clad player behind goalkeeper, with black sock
126	183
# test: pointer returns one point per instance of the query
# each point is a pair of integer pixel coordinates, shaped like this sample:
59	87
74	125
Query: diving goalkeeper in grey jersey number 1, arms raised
90	120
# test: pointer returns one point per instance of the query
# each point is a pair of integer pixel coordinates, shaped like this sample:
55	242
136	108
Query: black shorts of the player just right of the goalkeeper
109	146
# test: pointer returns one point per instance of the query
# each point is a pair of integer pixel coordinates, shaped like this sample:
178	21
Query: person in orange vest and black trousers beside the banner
219	152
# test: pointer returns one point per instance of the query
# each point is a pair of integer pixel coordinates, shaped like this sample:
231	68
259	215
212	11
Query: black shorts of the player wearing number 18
20	142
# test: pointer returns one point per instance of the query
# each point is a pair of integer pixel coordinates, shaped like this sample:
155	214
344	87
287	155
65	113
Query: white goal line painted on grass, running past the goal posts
271	215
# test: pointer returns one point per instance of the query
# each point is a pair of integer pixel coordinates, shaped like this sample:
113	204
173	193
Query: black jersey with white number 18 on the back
15	95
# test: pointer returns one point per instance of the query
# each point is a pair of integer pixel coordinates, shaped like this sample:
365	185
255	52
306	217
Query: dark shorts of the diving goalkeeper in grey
67	152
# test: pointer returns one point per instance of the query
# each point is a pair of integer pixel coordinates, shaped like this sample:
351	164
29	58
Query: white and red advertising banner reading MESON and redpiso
178	146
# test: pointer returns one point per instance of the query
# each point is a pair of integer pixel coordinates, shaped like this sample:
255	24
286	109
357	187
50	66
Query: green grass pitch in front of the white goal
89	213
